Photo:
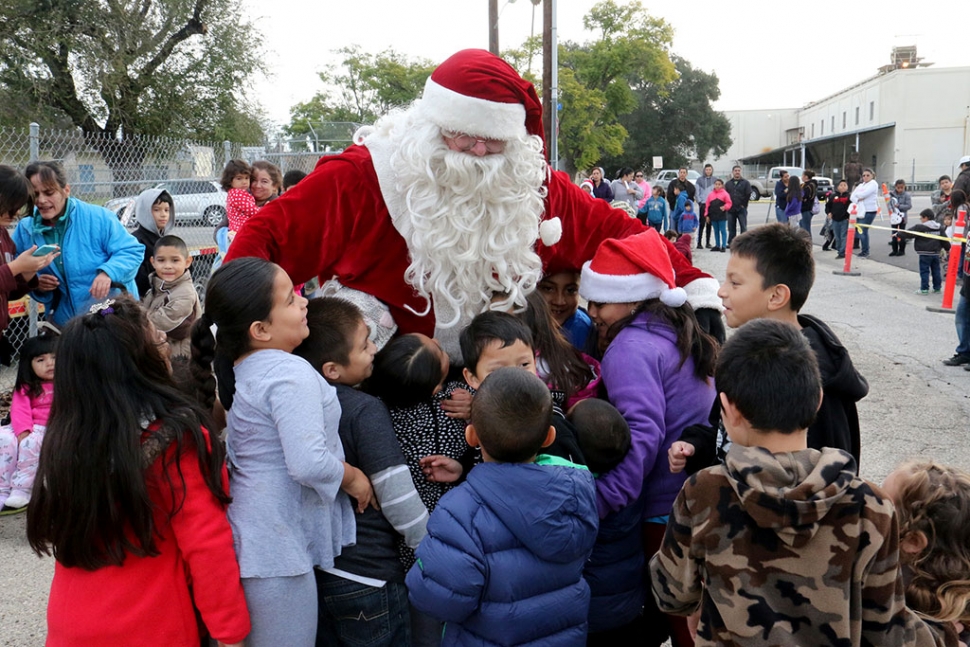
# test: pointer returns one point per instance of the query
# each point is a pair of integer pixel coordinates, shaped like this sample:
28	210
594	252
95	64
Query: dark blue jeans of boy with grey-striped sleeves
352	613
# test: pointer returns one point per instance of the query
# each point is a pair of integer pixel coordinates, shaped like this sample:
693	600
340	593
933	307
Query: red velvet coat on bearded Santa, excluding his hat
335	222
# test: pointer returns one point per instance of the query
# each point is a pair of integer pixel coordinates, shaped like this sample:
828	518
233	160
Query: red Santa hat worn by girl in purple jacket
630	270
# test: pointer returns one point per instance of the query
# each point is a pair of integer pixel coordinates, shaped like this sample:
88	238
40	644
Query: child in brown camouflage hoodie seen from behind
782	545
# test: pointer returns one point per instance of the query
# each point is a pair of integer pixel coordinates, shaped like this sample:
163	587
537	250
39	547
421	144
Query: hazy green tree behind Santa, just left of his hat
363	88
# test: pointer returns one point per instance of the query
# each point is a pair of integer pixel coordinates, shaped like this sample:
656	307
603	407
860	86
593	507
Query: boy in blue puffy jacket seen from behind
508	545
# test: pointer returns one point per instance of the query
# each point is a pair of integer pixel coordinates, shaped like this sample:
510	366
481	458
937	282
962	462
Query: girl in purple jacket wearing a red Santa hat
657	368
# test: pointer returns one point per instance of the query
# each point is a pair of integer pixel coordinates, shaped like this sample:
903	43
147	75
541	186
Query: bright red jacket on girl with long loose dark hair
148	600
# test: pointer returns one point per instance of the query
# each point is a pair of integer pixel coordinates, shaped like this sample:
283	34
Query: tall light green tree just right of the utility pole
598	80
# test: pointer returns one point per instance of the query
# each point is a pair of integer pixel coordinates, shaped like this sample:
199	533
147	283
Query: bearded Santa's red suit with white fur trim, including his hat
339	222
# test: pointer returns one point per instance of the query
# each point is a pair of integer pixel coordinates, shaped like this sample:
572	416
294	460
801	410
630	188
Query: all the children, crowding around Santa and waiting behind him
602	476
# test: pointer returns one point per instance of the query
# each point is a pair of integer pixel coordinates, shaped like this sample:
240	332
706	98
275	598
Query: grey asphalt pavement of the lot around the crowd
917	407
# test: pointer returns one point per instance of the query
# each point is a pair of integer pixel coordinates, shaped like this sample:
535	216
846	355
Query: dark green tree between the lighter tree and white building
676	122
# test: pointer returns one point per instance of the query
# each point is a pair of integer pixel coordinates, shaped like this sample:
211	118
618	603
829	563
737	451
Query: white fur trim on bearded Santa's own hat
471	115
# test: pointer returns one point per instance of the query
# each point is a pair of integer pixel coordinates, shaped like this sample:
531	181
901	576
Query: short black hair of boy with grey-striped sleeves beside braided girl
333	323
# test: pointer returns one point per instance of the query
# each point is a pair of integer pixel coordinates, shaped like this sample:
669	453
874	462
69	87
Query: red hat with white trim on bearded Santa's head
477	93
